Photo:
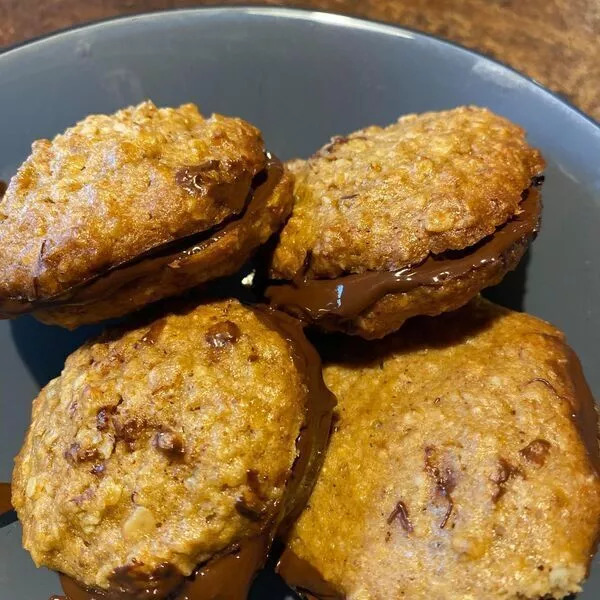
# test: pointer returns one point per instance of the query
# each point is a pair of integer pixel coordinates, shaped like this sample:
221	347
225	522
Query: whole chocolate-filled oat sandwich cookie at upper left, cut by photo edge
124	209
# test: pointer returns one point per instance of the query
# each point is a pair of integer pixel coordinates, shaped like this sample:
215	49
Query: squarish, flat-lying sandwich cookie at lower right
464	464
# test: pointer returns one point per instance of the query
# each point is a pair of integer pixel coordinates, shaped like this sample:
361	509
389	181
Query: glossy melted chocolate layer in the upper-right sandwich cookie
348	296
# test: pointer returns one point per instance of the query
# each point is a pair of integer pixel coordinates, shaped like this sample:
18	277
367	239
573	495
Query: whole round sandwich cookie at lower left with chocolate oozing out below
165	457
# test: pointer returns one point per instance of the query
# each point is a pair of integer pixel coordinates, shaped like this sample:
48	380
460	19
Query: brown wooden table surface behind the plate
557	42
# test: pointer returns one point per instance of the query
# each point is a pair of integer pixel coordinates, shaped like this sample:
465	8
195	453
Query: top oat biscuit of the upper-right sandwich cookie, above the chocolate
381	199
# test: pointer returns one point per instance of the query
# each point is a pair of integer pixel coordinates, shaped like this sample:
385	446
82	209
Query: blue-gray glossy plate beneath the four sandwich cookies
301	77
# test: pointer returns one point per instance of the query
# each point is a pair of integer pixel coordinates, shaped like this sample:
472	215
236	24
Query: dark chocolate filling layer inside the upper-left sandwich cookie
104	284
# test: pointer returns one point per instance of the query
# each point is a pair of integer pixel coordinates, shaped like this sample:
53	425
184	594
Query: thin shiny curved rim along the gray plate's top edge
304	14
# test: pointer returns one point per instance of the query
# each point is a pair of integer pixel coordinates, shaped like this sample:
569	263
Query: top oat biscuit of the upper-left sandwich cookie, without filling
115	187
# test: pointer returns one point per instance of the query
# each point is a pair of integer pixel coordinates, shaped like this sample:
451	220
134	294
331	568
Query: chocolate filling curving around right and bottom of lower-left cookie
229	576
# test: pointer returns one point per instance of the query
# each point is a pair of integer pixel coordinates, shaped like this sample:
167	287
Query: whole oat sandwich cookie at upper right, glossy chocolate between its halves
414	218
